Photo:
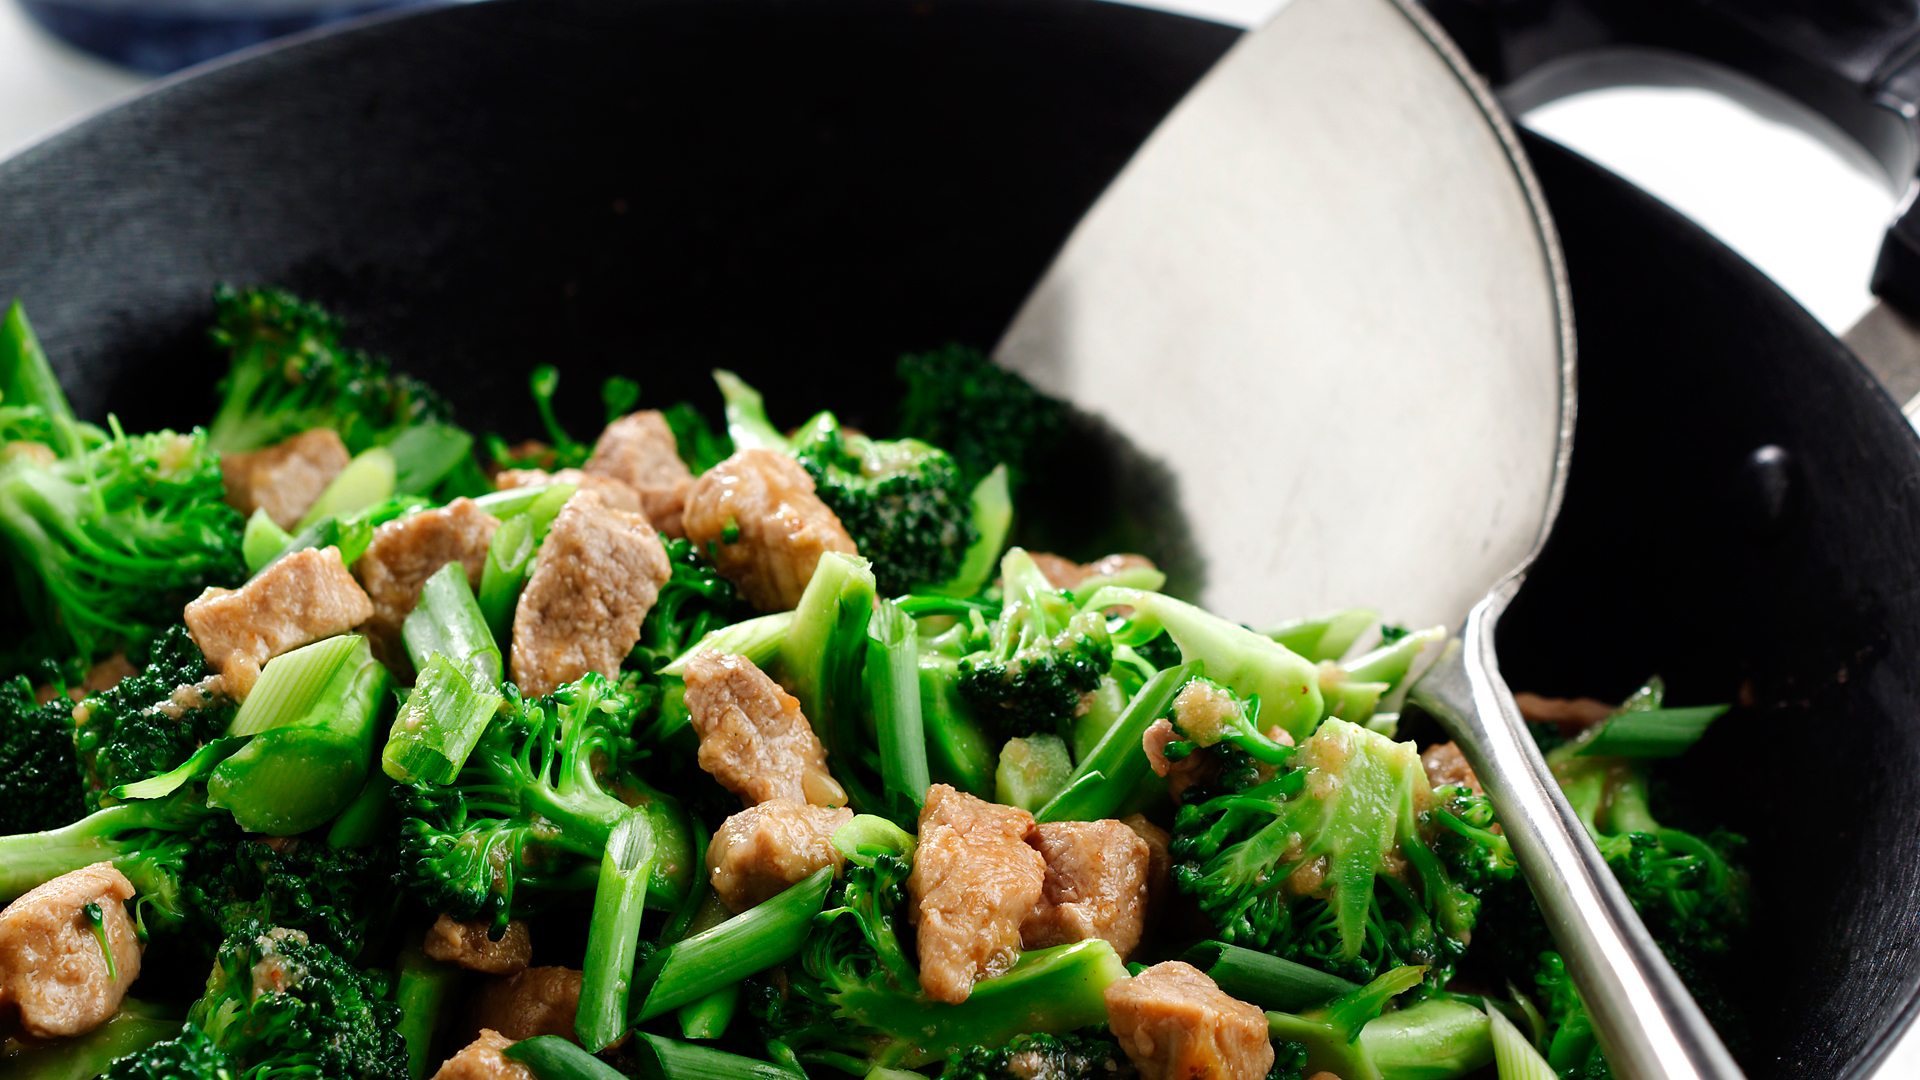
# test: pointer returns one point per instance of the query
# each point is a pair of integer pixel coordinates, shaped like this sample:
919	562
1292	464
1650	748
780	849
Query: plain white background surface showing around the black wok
1792	207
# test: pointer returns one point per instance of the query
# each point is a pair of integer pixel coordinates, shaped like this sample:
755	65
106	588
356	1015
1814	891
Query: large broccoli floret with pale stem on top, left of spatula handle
1293	864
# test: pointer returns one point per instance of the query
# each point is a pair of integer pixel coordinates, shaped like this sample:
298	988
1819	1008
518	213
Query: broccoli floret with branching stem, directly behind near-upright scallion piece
535	806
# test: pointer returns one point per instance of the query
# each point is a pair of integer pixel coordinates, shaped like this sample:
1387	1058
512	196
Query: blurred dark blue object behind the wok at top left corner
166	36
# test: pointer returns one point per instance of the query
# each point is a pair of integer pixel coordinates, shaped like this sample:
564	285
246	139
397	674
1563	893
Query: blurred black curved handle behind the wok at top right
1856	62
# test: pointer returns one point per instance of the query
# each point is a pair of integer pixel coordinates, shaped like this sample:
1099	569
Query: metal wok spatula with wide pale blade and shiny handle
1341	210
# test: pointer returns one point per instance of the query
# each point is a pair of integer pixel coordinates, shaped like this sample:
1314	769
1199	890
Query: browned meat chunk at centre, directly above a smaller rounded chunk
754	737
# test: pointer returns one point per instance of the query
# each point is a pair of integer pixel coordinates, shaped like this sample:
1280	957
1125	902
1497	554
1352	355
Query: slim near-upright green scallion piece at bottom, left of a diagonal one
613	935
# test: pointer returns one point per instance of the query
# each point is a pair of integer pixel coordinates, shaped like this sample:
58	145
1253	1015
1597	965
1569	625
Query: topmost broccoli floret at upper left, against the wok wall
291	374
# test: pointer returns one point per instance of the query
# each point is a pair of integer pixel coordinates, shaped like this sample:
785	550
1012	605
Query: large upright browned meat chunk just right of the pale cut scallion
600	572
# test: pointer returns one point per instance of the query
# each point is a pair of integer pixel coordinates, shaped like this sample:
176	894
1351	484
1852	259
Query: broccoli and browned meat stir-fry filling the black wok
341	743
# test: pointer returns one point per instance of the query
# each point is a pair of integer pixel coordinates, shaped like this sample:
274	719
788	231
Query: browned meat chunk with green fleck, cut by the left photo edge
53	971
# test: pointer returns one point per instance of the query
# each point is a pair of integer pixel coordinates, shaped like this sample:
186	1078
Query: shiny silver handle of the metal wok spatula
1643	1014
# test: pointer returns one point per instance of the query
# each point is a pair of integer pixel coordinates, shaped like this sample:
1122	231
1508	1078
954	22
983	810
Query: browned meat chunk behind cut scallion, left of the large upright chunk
410	551
